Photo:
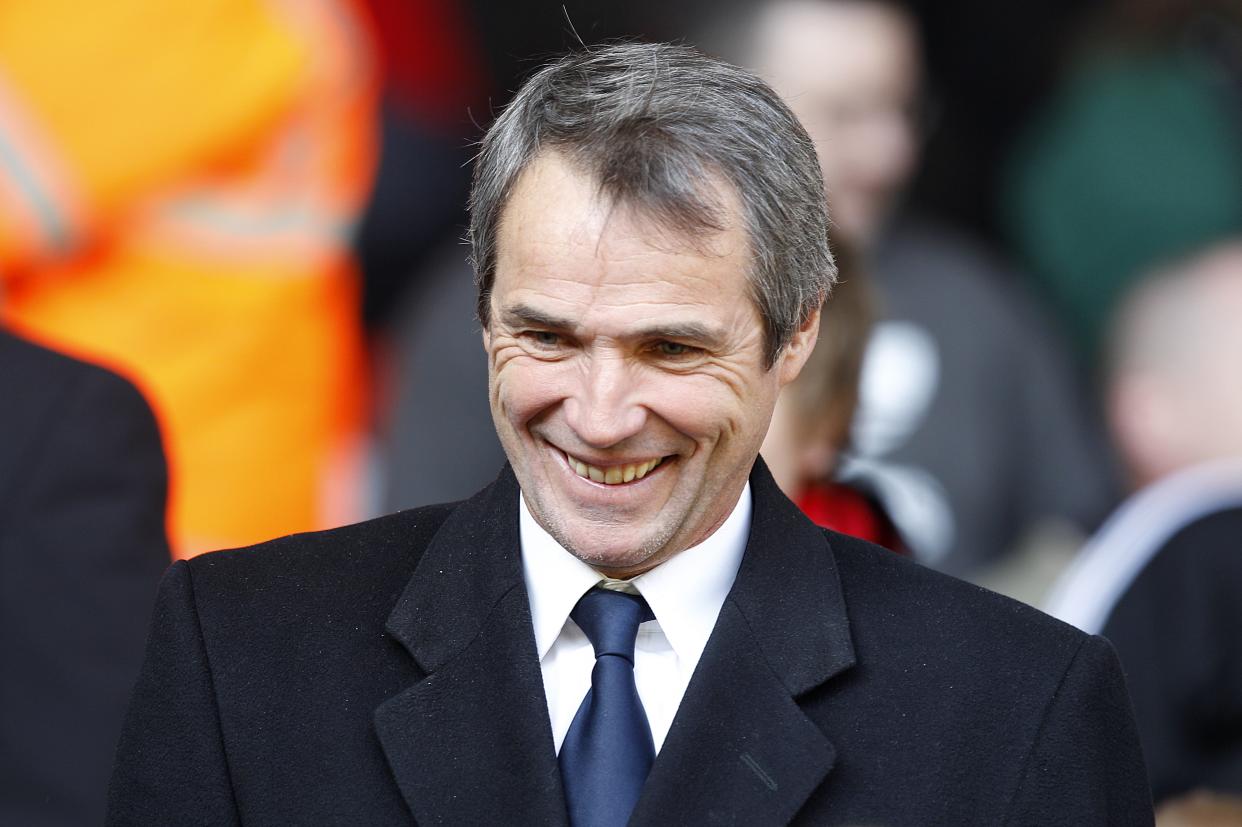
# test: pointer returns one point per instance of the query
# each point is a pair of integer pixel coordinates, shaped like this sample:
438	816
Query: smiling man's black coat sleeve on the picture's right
1086	766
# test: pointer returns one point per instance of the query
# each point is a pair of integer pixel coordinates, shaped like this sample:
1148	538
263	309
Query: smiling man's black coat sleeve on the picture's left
172	767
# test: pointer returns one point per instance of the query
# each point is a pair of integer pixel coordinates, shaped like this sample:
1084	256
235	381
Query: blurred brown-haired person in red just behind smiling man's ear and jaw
810	428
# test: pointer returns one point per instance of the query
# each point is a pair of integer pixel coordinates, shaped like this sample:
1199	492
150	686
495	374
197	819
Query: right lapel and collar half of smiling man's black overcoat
741	749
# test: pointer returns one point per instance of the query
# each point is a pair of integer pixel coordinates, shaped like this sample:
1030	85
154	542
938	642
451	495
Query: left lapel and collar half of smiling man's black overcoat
471	743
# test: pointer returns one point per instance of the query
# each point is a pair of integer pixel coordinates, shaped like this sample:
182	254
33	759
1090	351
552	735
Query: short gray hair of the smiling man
655	125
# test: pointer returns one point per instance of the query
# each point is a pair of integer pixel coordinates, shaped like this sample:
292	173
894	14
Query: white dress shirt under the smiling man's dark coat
685	593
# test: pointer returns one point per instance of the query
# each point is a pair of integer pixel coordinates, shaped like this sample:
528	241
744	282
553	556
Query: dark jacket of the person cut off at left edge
83	547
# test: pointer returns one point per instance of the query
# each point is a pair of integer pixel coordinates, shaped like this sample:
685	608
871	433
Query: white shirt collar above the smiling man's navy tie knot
685	593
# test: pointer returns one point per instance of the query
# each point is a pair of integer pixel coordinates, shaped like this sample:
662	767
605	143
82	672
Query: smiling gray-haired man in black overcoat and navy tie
633	625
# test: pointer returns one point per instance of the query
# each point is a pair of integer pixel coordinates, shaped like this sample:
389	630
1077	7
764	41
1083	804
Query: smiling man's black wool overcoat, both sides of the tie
388	670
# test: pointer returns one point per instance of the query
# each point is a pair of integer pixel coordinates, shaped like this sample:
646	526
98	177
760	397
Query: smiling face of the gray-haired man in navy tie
627	371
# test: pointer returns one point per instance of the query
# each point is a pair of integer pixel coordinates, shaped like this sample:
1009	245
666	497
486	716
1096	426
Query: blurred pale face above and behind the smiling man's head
850	70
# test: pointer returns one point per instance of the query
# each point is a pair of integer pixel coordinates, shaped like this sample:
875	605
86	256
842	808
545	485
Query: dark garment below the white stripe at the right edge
1178	630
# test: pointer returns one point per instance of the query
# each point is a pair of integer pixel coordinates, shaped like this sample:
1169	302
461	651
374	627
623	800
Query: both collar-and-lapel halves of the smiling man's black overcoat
473	741
